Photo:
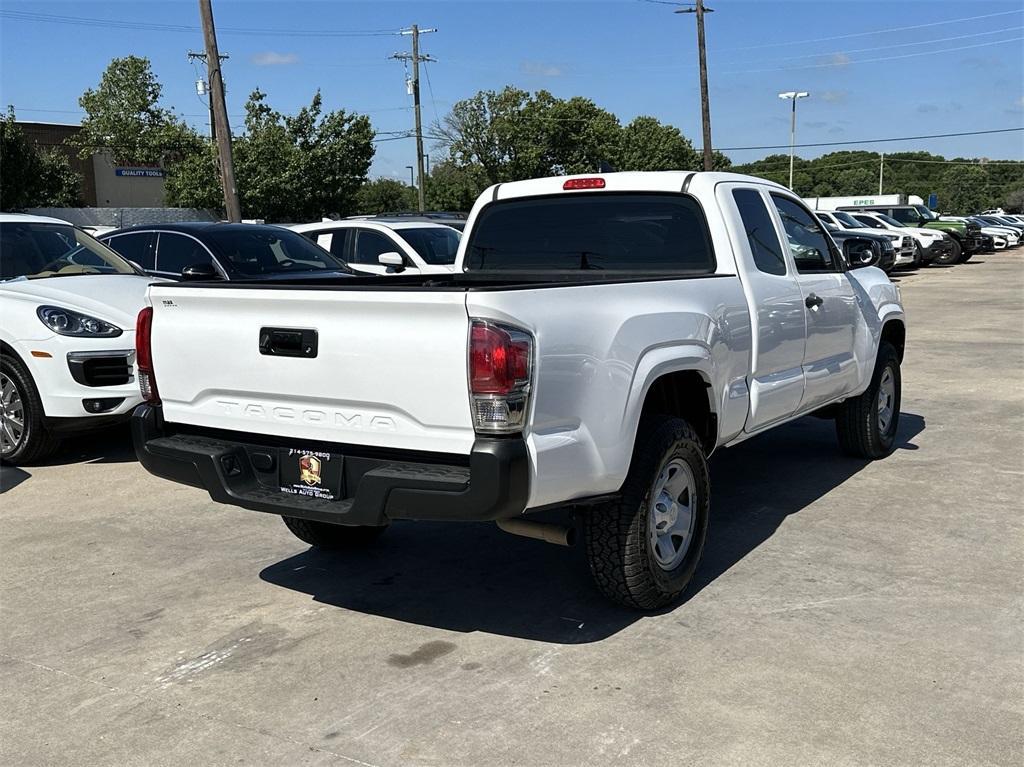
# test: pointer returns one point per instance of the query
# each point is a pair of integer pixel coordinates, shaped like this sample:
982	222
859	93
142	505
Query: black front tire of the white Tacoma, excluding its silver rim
859	423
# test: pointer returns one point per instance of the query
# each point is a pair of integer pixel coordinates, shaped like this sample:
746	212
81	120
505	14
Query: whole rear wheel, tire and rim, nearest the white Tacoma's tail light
645	547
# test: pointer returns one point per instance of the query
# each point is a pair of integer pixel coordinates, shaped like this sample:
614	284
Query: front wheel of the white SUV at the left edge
24	438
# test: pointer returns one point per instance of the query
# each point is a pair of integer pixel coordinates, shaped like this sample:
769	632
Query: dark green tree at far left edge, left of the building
30	177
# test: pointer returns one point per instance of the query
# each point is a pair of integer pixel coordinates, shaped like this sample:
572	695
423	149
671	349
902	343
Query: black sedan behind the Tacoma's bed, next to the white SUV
203	250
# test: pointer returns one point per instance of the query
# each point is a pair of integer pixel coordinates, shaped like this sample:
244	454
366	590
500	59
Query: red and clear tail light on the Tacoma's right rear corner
501	367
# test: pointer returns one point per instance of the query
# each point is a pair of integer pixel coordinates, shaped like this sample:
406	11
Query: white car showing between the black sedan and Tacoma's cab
376	247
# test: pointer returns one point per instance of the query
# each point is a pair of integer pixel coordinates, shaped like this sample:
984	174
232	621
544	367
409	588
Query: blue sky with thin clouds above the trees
874	70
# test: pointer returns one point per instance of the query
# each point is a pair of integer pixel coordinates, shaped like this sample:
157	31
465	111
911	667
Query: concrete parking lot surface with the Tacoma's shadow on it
845	613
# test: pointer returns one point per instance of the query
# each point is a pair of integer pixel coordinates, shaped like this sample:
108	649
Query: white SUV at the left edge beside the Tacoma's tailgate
67	340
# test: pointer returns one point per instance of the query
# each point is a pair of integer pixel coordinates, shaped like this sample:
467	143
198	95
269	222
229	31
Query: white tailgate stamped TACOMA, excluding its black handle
391	368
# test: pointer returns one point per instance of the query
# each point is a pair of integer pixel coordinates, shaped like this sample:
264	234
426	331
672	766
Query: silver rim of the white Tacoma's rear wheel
672	514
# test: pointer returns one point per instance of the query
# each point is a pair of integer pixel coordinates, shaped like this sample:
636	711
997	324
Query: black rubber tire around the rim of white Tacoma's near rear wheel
618	535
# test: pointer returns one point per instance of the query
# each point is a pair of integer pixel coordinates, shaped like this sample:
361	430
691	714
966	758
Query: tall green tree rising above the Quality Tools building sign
123	117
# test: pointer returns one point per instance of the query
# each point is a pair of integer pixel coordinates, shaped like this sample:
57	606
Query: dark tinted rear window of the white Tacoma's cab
661	234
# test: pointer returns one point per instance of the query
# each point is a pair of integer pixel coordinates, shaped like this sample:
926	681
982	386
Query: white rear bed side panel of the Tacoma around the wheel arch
600	348
